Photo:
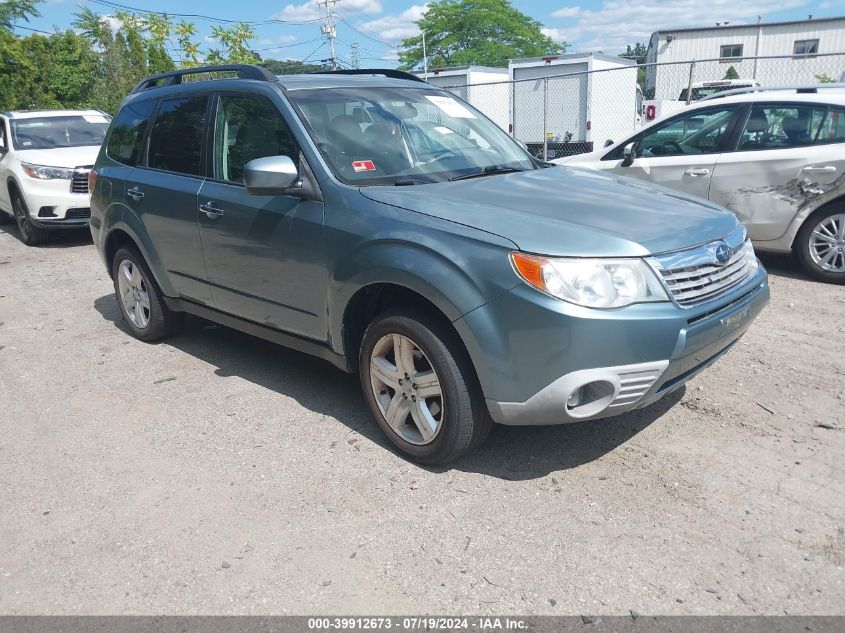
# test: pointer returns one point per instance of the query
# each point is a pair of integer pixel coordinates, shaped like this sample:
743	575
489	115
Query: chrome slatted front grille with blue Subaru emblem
695	276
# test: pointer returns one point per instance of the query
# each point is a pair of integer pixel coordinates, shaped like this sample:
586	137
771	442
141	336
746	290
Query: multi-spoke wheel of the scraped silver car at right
821	244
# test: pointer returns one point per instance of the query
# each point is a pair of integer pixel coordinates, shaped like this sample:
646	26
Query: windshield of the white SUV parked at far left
59	131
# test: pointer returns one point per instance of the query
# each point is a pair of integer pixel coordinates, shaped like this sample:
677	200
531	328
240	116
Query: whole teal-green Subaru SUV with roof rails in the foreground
385	225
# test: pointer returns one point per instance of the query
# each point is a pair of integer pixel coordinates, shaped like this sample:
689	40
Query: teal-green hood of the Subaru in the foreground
566	211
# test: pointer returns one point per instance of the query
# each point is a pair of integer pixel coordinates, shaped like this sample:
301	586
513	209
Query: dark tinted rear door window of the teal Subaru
176	137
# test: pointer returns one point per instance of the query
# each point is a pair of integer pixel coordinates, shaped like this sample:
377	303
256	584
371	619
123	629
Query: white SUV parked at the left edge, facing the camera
45	159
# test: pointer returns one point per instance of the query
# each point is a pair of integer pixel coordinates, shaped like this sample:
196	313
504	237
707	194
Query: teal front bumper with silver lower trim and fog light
630	357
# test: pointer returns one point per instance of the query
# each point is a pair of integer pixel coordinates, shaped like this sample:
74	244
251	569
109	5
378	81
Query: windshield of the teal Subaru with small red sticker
380	136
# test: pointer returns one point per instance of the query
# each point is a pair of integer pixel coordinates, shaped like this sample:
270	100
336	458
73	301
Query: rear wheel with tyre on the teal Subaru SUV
140	299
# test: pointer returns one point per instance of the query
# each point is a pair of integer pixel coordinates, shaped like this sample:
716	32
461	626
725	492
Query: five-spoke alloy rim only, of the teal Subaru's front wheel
407	389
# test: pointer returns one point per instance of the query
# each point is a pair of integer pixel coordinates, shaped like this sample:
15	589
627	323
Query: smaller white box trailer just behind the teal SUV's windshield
483	87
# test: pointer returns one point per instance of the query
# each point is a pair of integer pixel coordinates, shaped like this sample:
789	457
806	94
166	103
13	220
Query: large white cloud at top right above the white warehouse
621	22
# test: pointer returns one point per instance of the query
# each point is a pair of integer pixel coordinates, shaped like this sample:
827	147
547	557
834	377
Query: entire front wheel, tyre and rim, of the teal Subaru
421	388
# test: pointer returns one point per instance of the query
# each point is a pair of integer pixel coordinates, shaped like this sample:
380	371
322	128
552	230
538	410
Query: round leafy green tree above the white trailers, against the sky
484	32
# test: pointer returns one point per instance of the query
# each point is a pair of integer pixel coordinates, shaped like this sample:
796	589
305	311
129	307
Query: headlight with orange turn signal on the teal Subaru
593	283
